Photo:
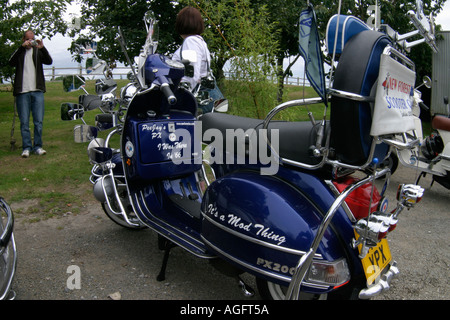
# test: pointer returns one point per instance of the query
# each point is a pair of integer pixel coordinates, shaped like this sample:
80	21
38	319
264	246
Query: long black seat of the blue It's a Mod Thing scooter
295	138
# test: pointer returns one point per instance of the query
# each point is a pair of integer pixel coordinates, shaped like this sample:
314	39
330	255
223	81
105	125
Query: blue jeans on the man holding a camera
31	103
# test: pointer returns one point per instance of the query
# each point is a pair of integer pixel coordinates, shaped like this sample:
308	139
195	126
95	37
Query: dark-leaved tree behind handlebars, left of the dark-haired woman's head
101	20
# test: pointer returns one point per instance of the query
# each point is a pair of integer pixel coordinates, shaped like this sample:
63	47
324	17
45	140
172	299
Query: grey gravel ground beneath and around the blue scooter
116	263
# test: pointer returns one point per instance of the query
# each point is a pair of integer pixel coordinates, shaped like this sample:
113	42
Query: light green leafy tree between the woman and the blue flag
245	37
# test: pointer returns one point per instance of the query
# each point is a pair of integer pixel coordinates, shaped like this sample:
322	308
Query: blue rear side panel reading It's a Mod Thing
263	224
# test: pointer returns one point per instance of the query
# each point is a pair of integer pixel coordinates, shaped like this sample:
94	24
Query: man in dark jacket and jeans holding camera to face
29	88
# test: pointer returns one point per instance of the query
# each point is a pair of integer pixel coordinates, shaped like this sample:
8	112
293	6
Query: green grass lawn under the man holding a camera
59	179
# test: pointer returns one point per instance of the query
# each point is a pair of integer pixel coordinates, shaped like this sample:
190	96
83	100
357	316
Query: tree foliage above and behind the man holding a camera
45	18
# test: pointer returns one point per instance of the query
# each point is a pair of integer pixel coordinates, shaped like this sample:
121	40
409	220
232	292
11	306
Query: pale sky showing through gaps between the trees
58	45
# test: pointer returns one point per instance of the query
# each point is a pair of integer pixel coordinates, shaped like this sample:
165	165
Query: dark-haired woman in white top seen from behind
189	25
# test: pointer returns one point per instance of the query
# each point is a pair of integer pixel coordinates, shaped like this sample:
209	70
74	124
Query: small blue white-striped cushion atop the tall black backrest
346	27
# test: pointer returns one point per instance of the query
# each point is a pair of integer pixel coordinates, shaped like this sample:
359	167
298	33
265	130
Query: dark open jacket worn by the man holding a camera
40	56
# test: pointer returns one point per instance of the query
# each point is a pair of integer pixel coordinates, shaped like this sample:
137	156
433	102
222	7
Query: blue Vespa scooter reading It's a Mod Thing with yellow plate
289	202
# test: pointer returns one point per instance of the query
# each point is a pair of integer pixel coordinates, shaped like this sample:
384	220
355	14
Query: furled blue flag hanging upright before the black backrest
309	45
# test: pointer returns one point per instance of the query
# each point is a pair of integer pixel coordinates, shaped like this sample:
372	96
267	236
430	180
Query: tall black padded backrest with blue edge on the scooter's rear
350	120
